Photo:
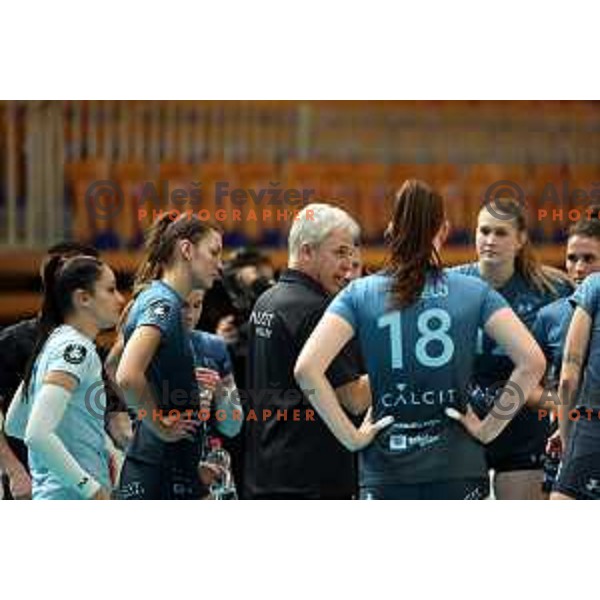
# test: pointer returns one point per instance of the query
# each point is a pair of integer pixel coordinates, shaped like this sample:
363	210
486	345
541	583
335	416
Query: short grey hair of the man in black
315	222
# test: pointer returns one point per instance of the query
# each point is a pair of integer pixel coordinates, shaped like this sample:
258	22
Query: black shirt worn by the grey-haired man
290	452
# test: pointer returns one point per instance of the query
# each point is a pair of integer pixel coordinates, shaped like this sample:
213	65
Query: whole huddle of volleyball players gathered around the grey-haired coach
400	380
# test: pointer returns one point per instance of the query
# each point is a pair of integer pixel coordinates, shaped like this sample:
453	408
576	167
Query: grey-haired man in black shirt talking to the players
290	452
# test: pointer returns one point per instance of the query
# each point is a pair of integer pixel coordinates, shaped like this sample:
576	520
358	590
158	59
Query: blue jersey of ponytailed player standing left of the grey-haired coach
170	373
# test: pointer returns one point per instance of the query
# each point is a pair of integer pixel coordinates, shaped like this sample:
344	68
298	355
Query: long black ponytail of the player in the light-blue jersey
62	277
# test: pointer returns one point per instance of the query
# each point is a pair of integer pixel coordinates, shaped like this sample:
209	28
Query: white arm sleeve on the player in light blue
40	435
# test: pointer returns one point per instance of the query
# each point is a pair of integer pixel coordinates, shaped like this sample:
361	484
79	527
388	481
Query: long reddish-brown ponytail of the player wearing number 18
417	217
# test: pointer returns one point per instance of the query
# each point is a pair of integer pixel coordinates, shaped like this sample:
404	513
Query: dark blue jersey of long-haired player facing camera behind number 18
493	366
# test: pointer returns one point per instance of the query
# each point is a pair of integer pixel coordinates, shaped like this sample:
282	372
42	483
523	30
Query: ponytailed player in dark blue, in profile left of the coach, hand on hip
156	368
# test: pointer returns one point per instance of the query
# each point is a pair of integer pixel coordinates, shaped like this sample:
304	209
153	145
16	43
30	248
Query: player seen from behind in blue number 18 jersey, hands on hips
417	327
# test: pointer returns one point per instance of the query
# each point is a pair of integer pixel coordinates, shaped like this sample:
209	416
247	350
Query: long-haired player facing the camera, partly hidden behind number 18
507	263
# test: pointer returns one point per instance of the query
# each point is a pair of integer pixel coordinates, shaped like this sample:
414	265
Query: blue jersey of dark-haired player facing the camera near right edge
550	330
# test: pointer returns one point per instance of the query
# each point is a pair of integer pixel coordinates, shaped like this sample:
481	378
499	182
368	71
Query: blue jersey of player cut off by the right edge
587	297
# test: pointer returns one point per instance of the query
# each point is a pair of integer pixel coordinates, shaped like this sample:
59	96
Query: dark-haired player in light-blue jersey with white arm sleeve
51	411
